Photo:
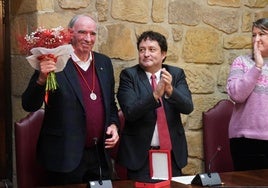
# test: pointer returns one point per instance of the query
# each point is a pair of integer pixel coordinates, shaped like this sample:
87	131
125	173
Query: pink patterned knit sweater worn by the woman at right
247	86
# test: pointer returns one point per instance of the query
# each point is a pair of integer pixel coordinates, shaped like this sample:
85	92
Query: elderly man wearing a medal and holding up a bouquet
81	121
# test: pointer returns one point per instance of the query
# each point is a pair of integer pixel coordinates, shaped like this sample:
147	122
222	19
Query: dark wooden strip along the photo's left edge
5	102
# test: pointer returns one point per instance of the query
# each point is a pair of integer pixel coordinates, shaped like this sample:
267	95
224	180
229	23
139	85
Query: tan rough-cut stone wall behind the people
204	36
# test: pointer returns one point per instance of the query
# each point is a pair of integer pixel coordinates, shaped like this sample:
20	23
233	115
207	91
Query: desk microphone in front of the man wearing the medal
100	183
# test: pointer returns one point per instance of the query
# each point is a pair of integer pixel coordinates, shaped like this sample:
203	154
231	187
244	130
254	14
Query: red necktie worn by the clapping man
163	132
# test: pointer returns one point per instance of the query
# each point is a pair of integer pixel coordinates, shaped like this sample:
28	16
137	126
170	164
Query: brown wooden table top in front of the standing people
252	178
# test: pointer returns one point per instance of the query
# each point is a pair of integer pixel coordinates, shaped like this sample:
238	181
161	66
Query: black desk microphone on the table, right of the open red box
208	179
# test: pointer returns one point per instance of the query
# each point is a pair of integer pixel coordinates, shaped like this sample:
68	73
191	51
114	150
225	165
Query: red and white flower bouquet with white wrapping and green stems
47	44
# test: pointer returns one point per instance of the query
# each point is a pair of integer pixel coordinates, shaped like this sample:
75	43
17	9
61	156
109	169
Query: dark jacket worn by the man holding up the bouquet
62	138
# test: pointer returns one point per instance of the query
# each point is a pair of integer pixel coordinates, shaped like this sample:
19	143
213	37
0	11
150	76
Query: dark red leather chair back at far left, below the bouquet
29	173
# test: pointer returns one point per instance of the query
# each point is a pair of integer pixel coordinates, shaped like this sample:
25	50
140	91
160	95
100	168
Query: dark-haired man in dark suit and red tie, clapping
139	103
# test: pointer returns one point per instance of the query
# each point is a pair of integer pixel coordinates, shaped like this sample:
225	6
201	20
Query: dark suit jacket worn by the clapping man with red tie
138	105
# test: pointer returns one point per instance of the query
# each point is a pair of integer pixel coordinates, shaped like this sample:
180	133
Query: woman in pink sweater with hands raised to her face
247	87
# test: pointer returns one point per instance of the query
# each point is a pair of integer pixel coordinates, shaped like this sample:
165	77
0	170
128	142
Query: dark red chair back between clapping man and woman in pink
217	153
